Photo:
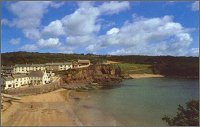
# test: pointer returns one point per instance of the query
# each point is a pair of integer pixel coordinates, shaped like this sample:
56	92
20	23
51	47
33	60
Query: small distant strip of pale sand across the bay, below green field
145	76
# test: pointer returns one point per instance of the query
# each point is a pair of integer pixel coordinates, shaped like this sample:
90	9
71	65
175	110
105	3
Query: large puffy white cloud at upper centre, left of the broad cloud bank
81	22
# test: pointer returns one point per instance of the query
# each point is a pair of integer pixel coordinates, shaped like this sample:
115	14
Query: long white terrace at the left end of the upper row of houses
26	68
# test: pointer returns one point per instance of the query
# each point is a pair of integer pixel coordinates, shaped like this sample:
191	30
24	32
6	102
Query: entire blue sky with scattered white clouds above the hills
115	28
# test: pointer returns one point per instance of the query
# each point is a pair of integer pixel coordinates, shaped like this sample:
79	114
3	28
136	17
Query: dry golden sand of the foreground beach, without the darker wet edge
39	110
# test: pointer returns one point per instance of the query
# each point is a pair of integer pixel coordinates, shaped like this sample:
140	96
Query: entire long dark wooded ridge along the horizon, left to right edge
166	65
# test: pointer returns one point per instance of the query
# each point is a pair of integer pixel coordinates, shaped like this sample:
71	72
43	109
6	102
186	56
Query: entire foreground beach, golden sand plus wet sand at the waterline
59	108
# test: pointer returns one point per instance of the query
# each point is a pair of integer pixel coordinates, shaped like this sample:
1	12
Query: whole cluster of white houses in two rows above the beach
21	75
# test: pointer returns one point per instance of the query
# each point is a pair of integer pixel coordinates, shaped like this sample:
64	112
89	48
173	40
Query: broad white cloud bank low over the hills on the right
151	36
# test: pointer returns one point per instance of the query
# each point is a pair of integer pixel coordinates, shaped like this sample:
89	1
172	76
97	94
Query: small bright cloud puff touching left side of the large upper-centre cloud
55	28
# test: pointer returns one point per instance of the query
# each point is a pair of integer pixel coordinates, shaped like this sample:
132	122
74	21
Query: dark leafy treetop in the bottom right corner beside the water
185	117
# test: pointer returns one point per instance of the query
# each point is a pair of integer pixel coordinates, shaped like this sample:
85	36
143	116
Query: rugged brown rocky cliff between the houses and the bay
101	74
